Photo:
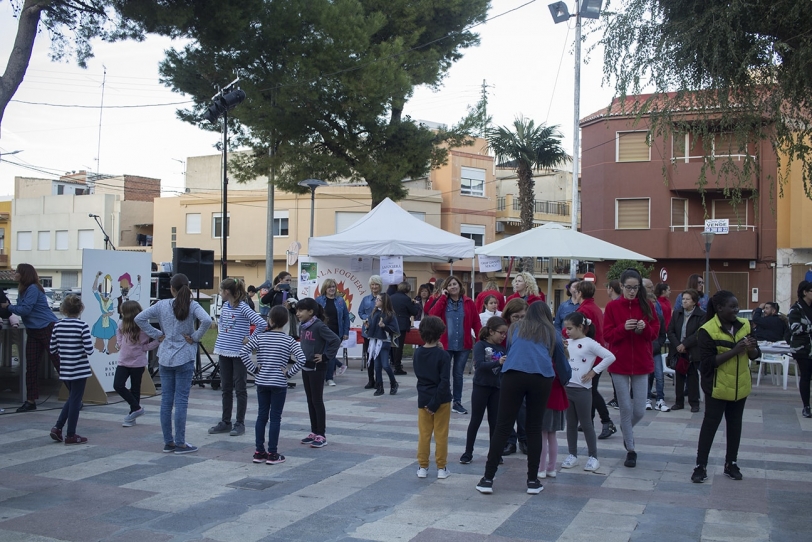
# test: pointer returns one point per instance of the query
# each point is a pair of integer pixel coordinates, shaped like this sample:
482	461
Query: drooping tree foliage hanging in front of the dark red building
741	67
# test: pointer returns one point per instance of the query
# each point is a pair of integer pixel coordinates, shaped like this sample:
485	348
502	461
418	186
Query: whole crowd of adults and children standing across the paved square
534	375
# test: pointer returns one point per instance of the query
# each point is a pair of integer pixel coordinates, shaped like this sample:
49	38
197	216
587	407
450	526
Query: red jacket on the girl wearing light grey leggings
632	350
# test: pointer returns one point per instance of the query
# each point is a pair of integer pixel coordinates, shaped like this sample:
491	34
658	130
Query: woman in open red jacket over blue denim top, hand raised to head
461	318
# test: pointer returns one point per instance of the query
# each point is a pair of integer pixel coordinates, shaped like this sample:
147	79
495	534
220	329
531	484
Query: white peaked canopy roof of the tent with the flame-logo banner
389	230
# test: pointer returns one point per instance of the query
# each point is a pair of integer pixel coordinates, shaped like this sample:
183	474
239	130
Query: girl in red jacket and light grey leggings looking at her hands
630	325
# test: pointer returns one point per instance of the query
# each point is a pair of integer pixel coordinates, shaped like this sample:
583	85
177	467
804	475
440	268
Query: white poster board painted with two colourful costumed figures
109	278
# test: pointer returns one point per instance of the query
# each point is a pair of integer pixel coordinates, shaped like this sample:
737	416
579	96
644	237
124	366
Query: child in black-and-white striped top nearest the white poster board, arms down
71	340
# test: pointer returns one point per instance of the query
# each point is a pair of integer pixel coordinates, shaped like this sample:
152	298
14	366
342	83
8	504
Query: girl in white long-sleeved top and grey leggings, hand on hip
583	350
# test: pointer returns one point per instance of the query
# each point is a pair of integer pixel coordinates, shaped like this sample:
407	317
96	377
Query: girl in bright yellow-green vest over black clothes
726	347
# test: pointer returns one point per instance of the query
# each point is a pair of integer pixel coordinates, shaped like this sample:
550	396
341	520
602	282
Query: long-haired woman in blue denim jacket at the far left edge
38	318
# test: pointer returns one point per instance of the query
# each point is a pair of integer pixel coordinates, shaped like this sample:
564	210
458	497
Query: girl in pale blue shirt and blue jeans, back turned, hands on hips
179	342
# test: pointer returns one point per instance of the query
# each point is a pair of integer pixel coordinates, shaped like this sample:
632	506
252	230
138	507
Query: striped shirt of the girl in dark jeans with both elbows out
274	350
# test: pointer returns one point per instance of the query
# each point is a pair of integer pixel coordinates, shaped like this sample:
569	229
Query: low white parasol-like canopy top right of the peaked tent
553	240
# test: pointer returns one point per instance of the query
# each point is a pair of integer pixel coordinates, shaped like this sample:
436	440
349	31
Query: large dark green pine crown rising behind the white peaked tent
327	83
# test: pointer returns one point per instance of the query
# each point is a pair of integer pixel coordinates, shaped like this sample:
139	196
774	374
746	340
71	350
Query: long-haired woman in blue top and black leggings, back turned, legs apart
527	375
